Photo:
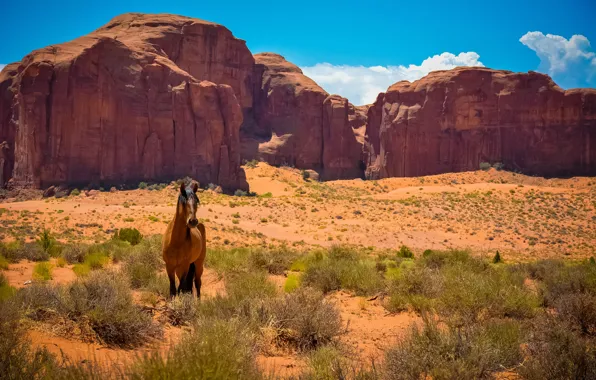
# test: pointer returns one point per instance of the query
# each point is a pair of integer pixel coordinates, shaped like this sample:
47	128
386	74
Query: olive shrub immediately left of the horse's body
143	263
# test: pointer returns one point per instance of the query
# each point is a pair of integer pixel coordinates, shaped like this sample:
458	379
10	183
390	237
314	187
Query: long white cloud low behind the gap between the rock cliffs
361	85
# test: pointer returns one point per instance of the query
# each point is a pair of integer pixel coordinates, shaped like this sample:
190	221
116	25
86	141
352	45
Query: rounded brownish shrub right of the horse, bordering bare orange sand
305	319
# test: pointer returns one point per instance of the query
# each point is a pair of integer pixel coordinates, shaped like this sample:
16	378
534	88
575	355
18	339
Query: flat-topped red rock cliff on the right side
450	121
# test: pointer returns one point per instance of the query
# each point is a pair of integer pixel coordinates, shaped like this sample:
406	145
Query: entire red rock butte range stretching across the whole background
158	97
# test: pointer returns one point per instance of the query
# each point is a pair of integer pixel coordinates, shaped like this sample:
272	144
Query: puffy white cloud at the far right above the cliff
566	58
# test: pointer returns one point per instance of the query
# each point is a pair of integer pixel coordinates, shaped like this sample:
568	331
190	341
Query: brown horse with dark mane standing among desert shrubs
184	243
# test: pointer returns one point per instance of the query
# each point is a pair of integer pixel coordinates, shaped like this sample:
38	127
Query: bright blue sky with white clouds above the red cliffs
355	47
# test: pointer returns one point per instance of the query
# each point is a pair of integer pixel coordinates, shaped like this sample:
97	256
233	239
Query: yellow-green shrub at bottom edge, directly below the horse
216	350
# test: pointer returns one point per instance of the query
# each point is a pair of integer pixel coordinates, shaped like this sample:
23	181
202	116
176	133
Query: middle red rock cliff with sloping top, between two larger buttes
297	123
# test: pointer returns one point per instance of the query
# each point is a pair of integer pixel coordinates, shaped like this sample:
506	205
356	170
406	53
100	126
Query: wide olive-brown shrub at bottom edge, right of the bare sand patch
471	352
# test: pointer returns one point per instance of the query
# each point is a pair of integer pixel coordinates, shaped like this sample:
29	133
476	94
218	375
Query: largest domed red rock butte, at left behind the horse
135	100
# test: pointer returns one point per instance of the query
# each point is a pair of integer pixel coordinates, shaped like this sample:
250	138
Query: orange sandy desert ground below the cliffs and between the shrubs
522	217
